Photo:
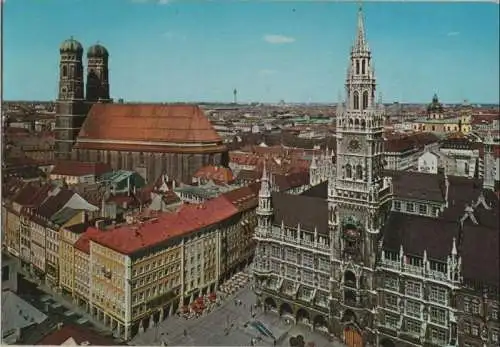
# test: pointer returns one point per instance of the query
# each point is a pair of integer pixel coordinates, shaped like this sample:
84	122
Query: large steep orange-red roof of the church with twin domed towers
148	122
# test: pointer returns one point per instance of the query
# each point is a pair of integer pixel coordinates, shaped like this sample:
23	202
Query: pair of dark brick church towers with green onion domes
74	96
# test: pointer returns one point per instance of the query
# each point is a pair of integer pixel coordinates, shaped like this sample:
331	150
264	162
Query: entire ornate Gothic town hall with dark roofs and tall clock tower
376	257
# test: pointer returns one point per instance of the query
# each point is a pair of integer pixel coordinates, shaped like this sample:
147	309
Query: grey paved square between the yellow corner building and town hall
225	326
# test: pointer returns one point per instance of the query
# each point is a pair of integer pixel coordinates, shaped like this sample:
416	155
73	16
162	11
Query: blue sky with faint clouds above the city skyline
296	51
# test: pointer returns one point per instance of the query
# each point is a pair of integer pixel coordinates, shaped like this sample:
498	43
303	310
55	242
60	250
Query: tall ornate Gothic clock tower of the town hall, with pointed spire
359	197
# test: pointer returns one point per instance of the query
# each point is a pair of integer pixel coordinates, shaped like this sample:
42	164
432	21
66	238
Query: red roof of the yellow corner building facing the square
133	238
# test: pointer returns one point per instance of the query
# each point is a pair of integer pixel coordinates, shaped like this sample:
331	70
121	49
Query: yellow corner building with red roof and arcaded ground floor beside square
142	272
